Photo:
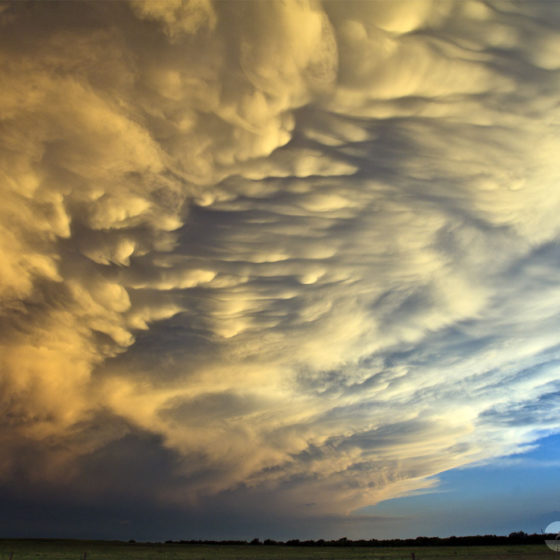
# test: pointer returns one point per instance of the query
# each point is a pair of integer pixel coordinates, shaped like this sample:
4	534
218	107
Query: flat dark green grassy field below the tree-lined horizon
96	550
